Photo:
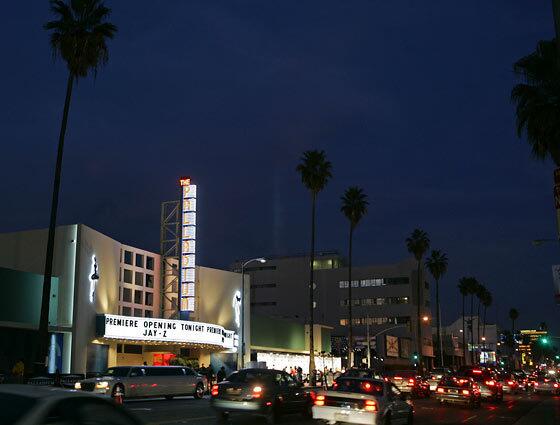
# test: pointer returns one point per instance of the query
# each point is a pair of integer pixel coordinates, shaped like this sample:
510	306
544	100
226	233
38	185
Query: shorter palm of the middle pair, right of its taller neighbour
354	207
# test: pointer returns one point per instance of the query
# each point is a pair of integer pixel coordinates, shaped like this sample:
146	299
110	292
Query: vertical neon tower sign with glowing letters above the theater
188	248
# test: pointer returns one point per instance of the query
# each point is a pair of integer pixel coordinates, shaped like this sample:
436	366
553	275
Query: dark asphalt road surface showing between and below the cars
530	409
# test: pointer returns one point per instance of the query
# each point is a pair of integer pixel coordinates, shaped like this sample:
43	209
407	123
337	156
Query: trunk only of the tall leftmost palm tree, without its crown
47	275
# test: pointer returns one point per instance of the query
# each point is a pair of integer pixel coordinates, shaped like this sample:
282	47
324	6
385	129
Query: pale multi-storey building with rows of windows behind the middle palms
384	297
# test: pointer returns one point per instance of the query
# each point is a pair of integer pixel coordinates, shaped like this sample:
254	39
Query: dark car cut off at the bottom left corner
32	405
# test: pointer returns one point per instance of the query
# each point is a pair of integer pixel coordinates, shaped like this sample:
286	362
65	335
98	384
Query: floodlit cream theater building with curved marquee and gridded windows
106	305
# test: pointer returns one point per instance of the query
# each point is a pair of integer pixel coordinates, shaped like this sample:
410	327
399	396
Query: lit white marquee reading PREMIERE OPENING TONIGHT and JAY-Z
164	330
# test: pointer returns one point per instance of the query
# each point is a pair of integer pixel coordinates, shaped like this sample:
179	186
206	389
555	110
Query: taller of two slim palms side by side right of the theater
315	173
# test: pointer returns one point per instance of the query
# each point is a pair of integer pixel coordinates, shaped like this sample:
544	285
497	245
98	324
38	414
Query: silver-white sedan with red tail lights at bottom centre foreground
363	401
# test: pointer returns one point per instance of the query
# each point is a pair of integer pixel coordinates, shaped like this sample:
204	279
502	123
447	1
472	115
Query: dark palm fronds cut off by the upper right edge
537	100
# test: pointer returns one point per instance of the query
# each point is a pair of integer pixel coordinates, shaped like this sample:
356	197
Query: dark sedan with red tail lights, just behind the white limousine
262	392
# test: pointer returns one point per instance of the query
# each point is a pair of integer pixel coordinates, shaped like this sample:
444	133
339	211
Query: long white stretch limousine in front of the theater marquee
146	381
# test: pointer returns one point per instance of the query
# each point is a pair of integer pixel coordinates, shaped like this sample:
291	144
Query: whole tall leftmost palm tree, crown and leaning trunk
78	35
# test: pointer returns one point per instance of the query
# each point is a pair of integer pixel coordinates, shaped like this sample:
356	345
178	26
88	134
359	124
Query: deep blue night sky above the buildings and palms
409	99
